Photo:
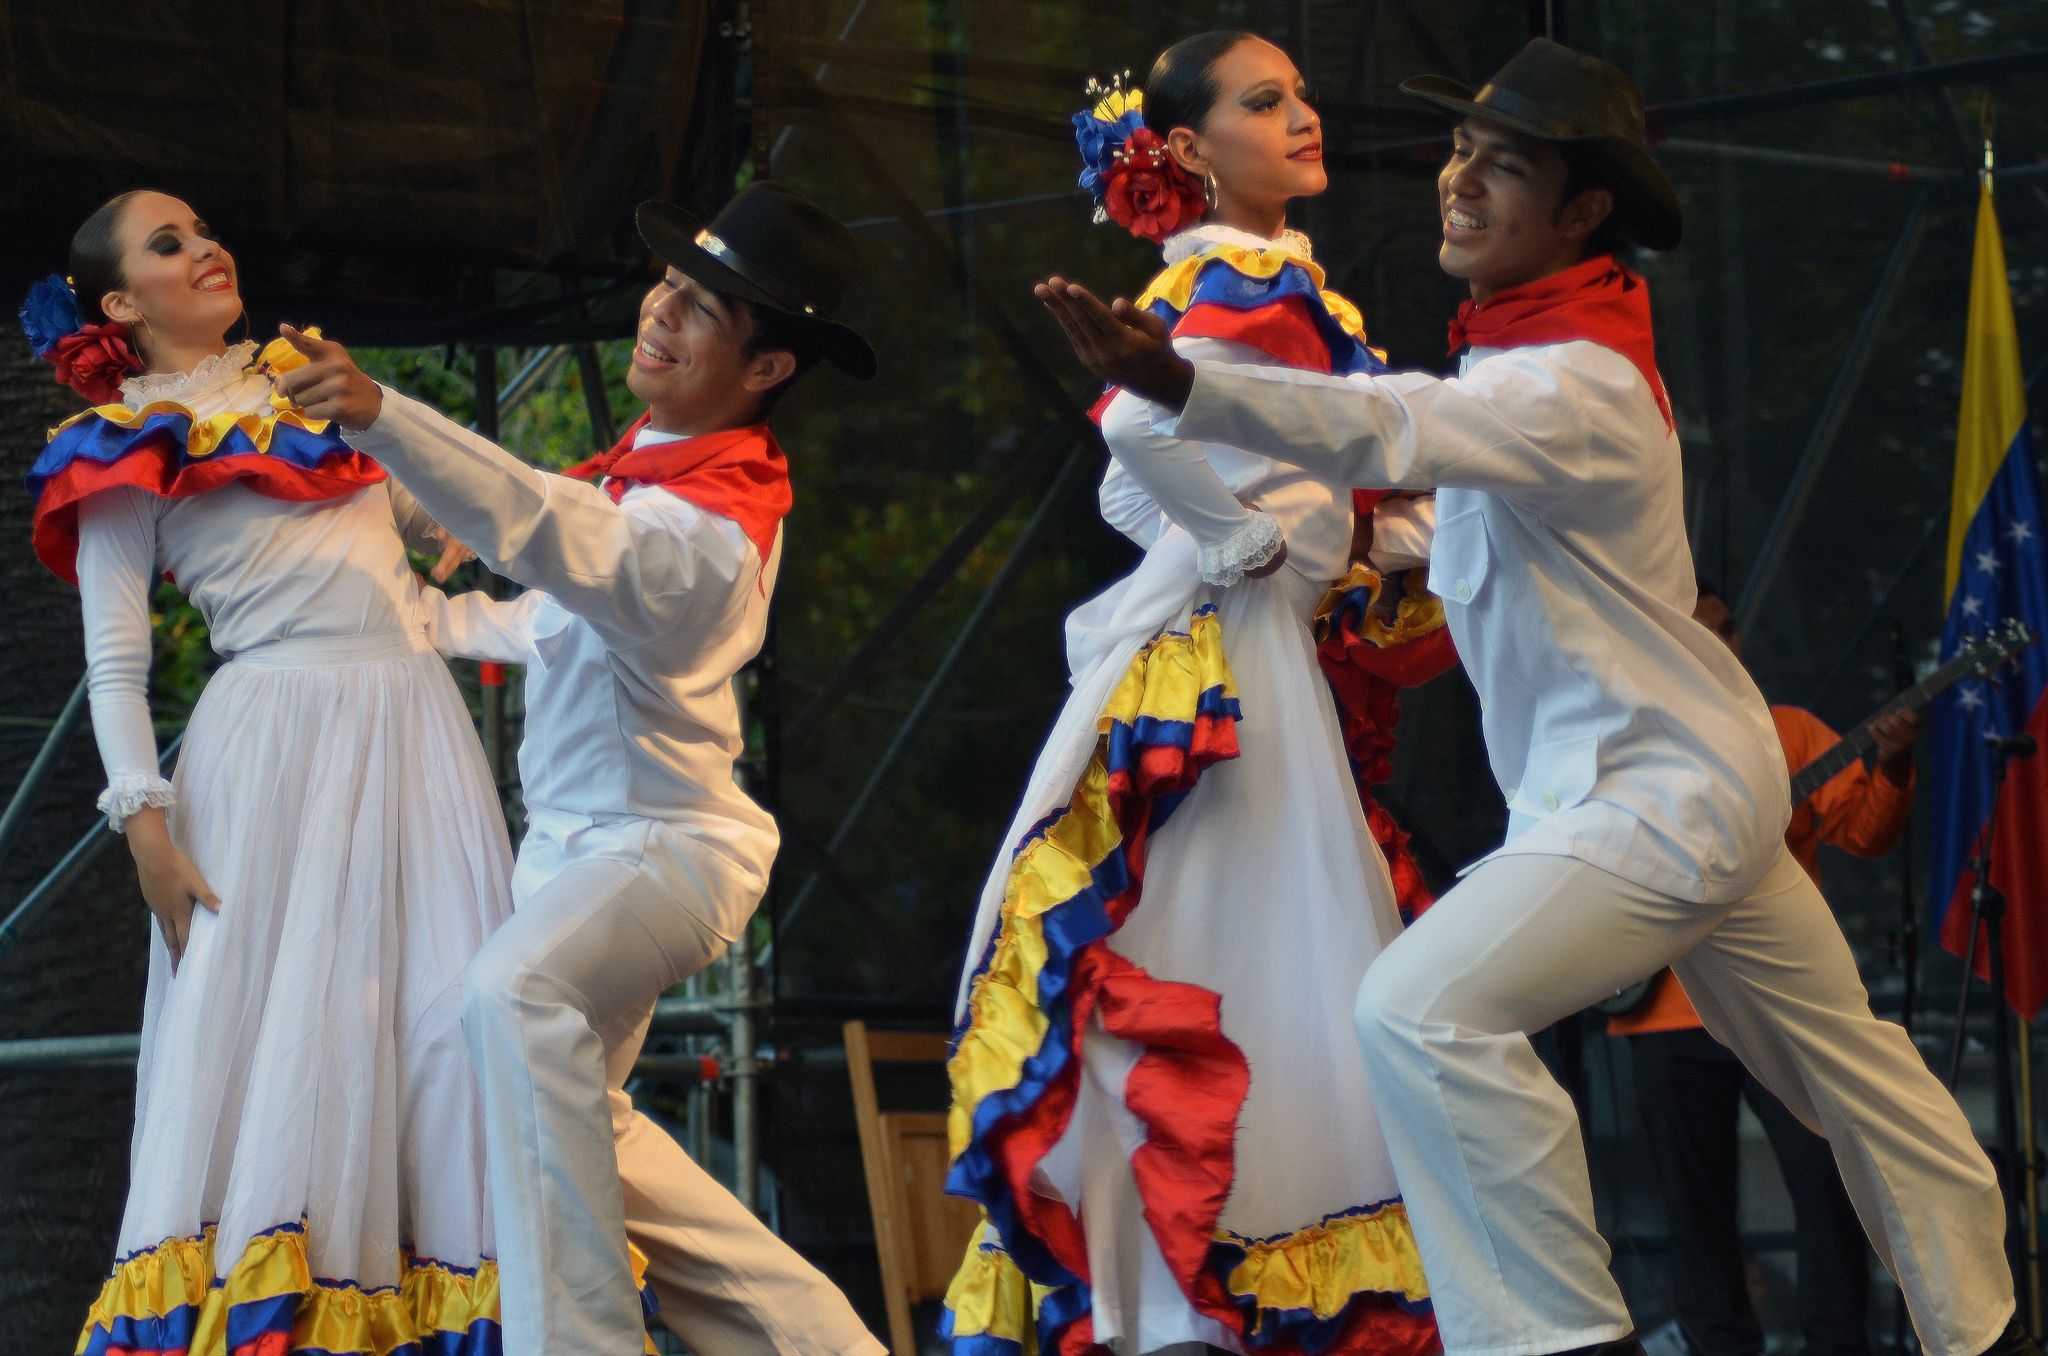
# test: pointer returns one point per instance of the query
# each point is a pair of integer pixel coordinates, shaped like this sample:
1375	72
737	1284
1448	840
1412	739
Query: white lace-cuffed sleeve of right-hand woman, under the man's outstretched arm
1181	480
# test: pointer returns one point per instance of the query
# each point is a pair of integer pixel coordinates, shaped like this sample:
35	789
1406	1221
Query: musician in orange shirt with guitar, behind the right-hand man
1689	1083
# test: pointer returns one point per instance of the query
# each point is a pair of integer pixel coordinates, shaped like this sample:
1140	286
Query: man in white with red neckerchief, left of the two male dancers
642	857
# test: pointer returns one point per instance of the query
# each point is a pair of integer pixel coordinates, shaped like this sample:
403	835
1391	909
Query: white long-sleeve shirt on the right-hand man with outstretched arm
1621	732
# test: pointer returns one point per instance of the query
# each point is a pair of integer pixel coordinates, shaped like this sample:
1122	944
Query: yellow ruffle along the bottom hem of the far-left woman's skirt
331	1318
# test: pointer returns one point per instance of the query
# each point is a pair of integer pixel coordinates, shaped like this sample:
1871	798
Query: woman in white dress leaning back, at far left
308	1169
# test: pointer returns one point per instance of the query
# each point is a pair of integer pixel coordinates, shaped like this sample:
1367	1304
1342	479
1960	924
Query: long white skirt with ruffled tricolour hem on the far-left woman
308	1142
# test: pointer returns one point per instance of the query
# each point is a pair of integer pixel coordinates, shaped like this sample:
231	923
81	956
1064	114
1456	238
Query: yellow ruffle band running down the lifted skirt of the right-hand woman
1005	1021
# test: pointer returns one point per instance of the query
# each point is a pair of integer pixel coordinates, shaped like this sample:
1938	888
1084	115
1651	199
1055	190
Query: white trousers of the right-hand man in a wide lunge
1488	1146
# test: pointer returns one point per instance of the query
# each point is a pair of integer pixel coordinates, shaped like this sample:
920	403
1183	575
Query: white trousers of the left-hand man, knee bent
554	1011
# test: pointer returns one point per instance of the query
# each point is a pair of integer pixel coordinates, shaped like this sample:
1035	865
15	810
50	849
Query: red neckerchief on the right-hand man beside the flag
1598	300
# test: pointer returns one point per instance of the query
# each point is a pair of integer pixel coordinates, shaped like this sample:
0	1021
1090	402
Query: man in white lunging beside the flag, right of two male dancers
1648	796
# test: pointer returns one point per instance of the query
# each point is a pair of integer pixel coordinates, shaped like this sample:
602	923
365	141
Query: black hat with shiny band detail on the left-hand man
773	249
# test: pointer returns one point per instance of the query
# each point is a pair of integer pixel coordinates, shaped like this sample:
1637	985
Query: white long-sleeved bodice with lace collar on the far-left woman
257	568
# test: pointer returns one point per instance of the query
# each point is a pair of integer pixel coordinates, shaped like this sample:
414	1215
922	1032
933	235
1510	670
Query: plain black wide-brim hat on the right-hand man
1551	93
